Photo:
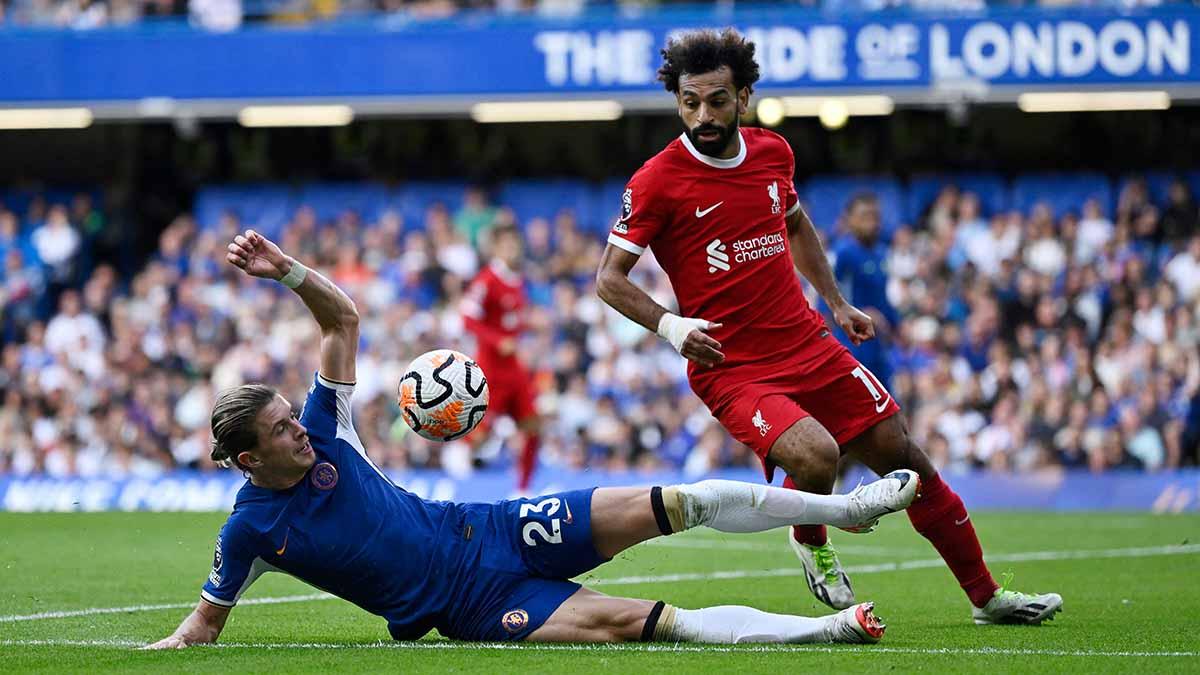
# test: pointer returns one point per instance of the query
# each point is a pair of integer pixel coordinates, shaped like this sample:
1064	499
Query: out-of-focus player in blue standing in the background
861	270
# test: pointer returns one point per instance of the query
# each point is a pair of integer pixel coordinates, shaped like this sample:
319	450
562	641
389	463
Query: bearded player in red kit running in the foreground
719	210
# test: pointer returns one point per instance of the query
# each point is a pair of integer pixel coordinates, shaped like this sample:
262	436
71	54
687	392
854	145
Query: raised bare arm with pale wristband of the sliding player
333	309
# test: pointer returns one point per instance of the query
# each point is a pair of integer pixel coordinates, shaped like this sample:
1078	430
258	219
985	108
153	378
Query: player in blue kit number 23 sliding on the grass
316	507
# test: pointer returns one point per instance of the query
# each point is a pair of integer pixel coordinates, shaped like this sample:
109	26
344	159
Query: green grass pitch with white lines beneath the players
1131	586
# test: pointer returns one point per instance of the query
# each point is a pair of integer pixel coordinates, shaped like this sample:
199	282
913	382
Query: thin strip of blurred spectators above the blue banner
229	15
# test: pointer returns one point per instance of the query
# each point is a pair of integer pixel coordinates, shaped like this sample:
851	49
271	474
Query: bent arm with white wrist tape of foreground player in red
687	336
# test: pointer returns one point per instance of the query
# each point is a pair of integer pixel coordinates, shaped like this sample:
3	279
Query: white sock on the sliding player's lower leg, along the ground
734	625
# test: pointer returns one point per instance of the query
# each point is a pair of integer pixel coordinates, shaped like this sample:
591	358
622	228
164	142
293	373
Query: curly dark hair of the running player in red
705	51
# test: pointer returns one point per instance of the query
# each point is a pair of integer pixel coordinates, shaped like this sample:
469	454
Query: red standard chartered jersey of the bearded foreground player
718	229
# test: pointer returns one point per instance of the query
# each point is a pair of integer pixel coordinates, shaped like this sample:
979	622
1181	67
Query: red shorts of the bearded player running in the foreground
848	401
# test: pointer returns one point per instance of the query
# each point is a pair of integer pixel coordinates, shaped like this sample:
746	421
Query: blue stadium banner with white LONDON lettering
602	56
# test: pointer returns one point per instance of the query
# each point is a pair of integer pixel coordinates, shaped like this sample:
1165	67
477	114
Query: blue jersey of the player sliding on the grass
349	530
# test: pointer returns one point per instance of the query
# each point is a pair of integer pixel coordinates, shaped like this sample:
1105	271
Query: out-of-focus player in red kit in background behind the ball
494	310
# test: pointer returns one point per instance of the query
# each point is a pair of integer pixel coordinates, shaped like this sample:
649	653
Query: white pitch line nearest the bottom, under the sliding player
437	646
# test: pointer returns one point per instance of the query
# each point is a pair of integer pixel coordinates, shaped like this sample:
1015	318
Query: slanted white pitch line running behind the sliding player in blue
1142	552
